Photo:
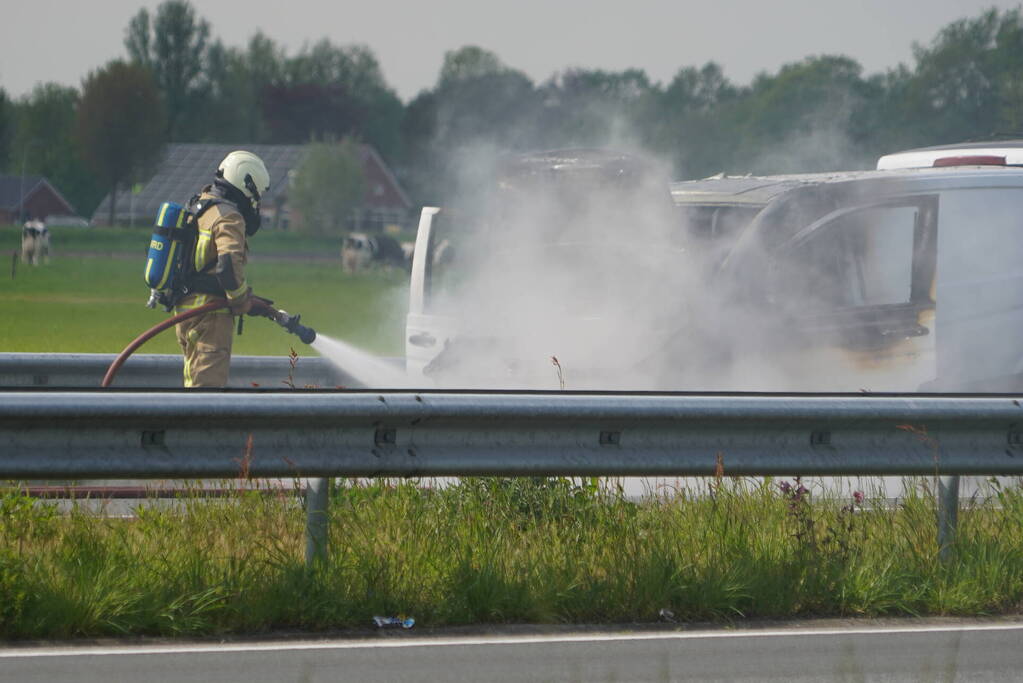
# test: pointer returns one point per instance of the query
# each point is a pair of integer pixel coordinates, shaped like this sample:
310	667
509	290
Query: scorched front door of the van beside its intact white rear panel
862	283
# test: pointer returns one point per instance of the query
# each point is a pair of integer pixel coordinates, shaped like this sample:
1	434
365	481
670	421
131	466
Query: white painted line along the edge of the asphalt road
506	641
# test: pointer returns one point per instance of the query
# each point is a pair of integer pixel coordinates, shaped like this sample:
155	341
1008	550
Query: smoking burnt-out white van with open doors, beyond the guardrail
903	281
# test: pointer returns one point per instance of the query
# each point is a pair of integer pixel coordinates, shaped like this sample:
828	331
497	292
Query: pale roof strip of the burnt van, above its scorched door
762	191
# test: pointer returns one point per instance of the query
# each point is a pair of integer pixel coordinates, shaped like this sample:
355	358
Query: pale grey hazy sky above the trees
62	40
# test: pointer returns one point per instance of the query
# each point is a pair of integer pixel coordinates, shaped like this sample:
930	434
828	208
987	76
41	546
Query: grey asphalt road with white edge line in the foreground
943	652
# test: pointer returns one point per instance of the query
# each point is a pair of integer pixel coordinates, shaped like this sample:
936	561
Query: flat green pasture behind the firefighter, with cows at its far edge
92	299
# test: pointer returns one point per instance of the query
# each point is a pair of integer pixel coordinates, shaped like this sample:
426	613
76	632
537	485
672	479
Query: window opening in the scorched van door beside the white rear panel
860	258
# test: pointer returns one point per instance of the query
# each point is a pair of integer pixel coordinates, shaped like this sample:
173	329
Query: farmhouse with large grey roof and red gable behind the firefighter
187	166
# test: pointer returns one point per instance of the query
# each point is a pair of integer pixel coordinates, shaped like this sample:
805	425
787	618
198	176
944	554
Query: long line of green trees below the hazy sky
179	83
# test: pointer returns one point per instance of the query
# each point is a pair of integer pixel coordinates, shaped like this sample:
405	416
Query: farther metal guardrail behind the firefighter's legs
163	372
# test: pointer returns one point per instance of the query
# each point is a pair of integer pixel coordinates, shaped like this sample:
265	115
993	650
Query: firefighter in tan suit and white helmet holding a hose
229	214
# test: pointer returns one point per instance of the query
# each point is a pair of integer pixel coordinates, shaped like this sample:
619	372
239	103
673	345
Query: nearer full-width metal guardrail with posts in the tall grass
49	435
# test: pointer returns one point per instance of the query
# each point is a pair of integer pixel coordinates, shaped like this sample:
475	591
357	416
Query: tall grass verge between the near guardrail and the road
500	552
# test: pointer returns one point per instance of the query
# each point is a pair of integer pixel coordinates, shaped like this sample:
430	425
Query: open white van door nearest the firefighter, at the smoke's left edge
427	332
